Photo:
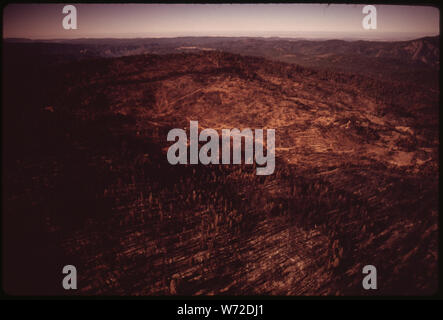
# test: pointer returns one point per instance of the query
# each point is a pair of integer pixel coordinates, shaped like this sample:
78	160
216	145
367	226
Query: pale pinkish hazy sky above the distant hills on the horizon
44	21
